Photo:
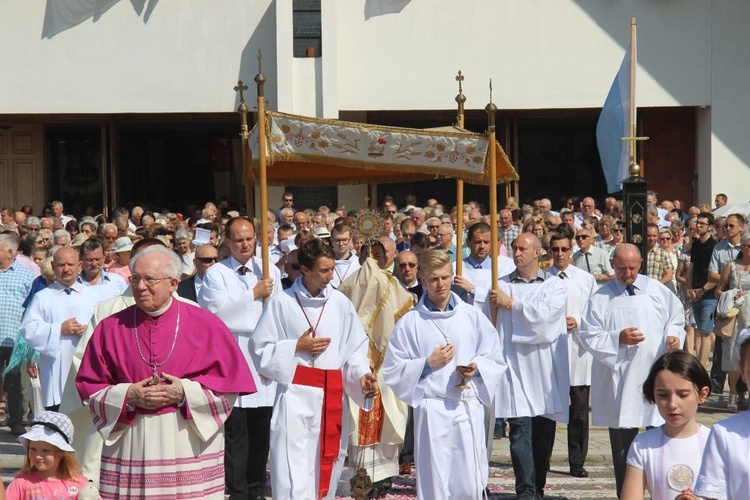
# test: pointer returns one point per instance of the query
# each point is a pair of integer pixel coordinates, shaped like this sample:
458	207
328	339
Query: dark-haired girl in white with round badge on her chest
665	460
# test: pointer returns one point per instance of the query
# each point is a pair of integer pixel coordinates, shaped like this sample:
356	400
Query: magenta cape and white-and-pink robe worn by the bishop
176	451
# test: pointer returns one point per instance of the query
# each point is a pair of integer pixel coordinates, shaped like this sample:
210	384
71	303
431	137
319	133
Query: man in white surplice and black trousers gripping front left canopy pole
234	290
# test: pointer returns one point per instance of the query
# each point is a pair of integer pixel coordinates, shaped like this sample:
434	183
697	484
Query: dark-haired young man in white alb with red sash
310	342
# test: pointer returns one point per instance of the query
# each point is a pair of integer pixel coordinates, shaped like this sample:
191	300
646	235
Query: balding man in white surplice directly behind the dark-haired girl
627	325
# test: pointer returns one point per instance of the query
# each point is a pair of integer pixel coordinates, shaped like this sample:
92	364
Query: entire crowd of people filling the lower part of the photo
183	367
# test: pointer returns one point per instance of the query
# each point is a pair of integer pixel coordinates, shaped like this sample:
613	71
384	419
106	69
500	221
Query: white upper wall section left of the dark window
186	58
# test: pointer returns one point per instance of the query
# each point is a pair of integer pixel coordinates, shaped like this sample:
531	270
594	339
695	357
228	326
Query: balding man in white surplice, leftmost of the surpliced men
55	321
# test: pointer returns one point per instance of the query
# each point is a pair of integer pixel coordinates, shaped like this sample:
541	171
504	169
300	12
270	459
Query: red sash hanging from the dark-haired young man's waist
330	423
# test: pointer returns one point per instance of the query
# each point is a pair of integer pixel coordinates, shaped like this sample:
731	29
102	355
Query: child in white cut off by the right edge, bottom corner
725	472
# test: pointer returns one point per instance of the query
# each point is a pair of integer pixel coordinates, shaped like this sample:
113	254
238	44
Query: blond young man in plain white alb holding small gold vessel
421	366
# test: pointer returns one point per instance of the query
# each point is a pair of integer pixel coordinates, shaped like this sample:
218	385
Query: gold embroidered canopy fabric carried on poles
320	151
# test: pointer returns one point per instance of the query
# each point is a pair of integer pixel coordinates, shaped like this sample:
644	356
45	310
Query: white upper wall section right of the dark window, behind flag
539	53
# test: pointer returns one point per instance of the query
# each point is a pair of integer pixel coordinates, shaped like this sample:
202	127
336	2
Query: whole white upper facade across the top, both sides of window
186	58
